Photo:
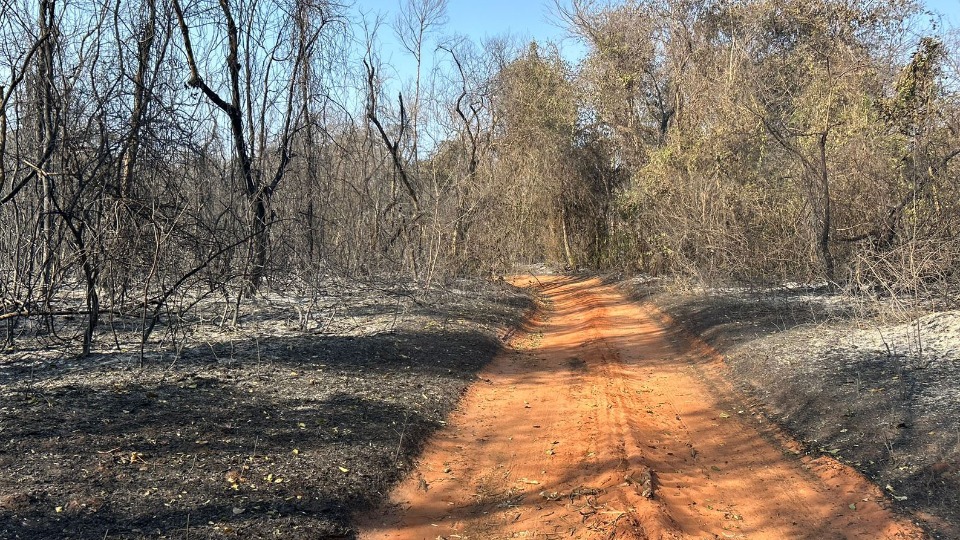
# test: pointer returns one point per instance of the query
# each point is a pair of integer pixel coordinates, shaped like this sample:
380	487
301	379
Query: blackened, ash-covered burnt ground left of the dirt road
275	429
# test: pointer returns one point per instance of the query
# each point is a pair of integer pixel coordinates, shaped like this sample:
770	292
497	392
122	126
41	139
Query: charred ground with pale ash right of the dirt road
875	387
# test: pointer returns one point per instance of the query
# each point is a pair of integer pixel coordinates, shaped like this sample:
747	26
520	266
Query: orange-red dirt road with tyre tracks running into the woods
600	423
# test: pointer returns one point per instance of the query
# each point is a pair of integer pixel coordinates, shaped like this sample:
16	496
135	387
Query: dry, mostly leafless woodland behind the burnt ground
156	153
